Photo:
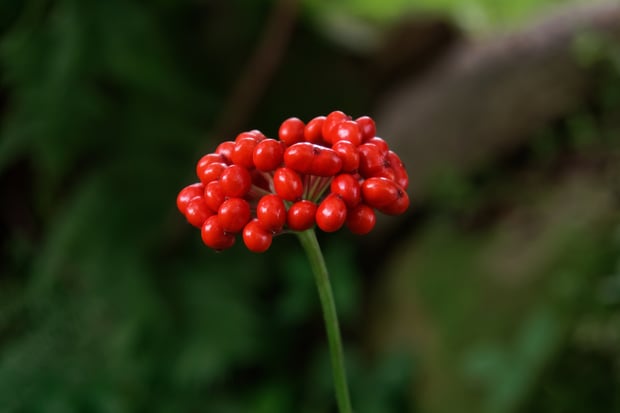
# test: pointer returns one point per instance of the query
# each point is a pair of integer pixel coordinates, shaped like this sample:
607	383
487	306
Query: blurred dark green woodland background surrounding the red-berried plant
499	292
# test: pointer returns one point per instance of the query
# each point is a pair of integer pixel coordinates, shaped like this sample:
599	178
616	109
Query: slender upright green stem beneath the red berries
317	262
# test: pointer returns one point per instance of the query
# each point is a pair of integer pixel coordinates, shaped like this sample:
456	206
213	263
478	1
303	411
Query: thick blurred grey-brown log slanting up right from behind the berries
486	97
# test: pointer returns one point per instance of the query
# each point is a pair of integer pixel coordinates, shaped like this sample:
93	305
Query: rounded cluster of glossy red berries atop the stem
332	171
